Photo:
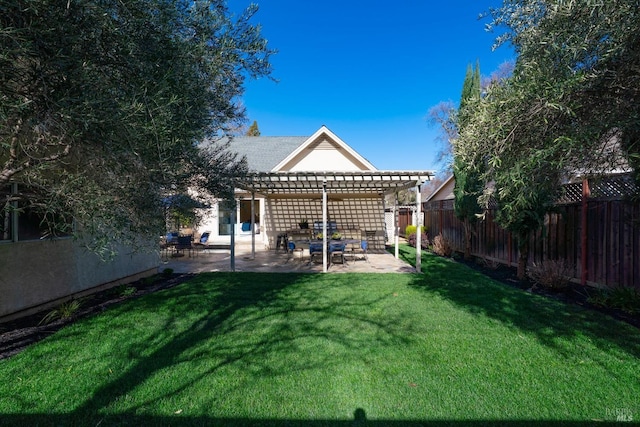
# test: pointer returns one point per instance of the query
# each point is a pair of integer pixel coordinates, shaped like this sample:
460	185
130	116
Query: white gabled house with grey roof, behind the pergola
317	178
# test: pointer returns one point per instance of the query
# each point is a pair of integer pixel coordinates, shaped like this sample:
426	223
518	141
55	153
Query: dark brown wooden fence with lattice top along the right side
598	236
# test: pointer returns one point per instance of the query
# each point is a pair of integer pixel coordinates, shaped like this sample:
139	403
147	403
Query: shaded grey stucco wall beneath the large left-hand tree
38	273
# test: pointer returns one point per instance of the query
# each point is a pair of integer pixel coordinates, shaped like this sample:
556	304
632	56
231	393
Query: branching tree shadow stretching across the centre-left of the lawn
236	306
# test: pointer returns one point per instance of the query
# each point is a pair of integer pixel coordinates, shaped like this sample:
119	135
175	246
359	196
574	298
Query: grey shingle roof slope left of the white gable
263	153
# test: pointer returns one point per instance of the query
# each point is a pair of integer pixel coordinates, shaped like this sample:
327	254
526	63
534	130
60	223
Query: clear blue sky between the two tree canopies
369	71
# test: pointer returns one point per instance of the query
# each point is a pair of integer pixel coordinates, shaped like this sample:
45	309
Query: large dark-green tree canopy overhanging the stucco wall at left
104	103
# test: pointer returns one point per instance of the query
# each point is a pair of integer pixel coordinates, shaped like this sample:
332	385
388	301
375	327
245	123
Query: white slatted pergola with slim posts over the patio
333	185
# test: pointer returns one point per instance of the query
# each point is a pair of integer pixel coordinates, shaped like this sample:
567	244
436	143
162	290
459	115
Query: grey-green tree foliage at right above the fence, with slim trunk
573	88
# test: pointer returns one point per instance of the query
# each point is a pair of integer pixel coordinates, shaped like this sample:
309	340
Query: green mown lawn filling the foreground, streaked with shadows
445	347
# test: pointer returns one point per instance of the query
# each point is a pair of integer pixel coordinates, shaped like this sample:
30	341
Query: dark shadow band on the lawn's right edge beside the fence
547	319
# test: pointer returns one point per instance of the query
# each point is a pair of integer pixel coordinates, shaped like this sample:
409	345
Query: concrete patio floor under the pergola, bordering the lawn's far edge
210	260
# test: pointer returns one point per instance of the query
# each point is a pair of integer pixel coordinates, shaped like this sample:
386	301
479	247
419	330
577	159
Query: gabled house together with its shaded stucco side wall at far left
319	178
